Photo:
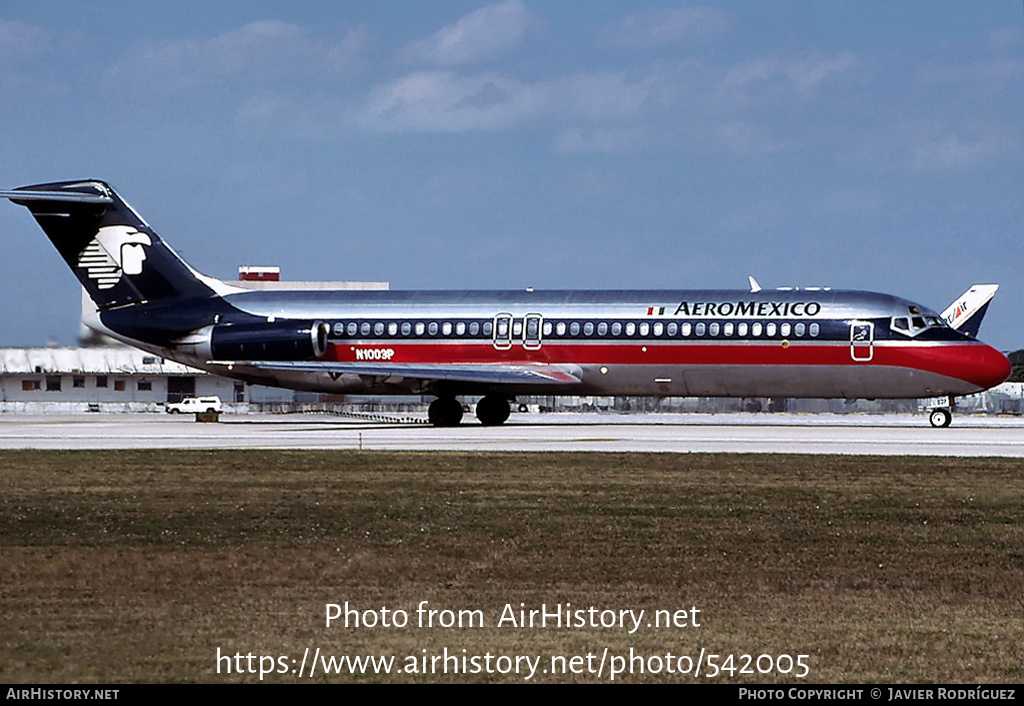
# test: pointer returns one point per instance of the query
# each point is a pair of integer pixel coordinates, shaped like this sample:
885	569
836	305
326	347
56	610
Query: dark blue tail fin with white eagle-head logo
116	256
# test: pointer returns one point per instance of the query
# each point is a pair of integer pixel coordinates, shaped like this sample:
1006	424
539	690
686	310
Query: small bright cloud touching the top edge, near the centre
480	35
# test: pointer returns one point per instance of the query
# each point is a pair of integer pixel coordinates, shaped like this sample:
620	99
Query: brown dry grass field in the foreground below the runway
124	567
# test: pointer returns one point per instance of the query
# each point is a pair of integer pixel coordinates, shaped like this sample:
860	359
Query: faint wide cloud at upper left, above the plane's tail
261	52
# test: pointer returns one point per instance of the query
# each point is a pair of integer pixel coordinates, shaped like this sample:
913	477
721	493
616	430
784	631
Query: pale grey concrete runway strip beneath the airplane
876	435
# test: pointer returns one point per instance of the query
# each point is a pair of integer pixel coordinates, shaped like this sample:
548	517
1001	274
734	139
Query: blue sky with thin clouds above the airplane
456	145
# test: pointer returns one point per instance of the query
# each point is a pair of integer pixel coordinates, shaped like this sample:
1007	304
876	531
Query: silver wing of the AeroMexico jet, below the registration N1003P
466	372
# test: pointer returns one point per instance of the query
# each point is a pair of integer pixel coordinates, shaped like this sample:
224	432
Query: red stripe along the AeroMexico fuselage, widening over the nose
970	361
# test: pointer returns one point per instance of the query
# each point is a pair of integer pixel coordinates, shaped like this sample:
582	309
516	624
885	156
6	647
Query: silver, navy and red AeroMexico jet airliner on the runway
791	343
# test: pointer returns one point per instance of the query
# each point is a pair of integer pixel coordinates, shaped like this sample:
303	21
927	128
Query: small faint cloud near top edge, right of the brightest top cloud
662	27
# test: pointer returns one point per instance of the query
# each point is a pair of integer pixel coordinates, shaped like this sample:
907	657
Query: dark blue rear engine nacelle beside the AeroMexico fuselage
281	341
